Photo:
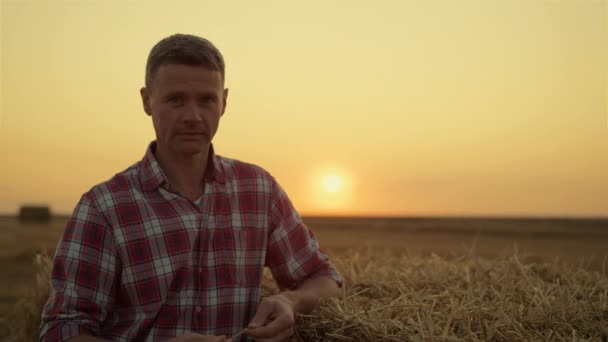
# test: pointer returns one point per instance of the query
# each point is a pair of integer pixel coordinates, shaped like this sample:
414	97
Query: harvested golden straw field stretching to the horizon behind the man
427	282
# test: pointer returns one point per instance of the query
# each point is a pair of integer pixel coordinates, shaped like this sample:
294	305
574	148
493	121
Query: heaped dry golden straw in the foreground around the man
413	298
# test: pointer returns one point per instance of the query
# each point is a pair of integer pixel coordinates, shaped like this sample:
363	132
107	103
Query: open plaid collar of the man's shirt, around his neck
152	176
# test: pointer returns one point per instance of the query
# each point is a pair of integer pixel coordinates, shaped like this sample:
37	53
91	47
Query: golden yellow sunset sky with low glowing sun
416	107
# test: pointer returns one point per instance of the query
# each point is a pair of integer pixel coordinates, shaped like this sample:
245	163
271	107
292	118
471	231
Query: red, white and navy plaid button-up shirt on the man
138	261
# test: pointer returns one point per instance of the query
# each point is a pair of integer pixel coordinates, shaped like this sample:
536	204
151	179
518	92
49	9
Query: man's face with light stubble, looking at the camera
186	103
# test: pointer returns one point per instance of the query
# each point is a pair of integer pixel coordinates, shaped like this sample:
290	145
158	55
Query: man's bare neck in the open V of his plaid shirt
184	173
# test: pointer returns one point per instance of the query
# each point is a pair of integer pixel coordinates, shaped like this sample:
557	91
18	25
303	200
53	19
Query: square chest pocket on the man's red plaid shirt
240	261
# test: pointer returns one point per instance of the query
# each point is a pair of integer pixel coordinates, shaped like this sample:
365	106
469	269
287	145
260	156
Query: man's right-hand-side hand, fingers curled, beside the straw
274	320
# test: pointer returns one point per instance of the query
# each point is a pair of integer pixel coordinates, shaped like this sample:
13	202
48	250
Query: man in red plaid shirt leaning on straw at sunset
173	248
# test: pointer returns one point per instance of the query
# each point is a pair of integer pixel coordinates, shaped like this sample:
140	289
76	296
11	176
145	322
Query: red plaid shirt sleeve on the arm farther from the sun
84	276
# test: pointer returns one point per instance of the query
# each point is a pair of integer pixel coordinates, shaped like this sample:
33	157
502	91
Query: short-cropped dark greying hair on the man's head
184	49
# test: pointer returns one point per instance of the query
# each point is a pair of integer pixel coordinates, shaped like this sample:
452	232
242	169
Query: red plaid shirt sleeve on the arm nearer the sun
293	253
